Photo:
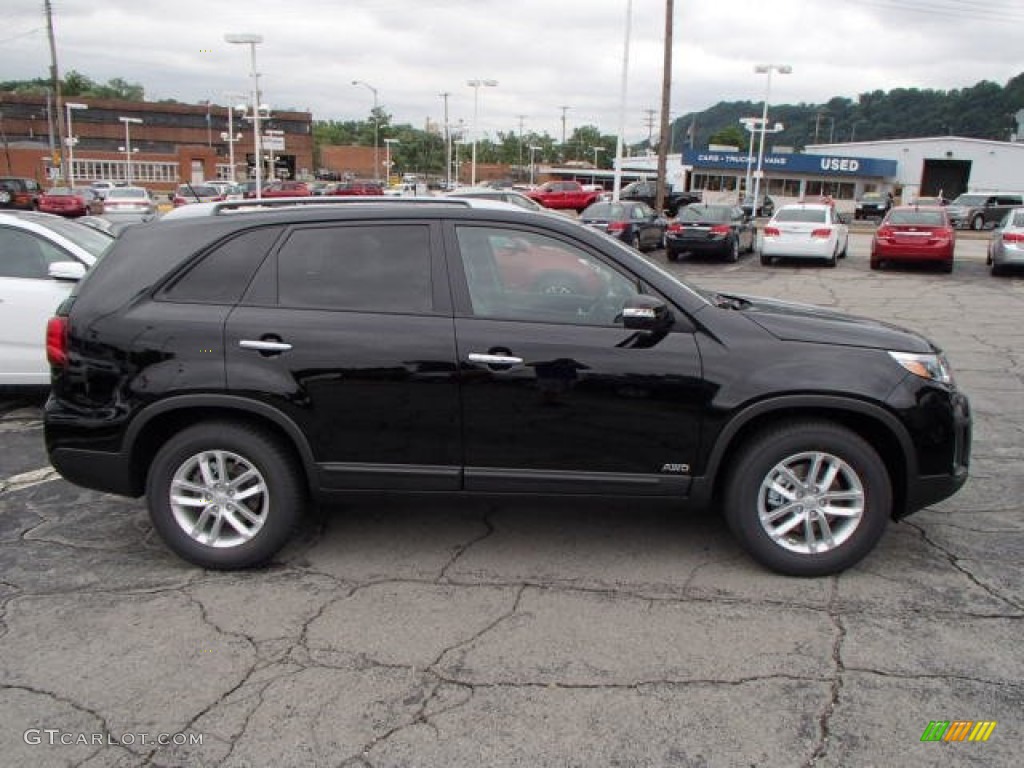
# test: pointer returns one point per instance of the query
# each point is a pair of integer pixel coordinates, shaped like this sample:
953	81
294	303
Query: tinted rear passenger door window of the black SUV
383	269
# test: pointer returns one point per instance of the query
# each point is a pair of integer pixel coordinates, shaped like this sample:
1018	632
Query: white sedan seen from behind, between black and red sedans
805	231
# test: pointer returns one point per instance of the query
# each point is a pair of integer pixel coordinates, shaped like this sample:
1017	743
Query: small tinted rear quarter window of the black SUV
224	274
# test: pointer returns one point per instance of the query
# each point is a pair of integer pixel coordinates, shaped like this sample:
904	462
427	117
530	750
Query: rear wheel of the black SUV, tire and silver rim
268	475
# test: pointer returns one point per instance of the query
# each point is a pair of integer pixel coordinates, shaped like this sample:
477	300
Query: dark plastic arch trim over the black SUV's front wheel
879	428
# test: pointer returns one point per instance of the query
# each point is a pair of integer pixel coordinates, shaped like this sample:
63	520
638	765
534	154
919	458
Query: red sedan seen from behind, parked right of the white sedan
915	234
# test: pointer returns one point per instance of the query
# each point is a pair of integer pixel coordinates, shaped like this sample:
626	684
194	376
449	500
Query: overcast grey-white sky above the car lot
544	54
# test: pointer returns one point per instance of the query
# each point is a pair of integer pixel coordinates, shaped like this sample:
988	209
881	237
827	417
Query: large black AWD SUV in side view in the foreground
235	368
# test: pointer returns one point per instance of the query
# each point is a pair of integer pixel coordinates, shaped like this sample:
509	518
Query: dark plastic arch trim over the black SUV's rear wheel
153	428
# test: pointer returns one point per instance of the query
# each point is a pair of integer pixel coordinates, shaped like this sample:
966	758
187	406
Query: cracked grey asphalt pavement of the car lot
524	633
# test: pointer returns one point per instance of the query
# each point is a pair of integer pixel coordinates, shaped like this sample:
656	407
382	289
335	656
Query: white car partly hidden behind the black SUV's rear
41	259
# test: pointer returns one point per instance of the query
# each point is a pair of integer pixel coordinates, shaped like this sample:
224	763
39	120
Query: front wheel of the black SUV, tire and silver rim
762	484
